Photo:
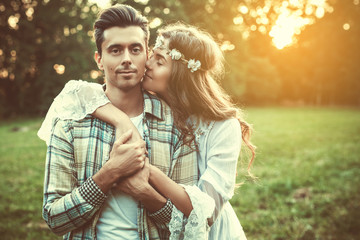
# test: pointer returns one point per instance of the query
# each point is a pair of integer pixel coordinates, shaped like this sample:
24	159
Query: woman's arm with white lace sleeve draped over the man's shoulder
80	98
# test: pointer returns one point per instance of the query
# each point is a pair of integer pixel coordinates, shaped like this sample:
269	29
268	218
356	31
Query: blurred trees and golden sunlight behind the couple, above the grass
292	52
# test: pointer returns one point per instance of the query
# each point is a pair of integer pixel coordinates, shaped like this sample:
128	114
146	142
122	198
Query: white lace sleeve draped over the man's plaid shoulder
77	99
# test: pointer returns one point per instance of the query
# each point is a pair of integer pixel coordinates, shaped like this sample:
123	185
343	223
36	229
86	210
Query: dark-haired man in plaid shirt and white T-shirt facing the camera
84	164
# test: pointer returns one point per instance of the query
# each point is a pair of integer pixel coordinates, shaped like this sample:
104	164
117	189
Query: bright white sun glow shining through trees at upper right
290	19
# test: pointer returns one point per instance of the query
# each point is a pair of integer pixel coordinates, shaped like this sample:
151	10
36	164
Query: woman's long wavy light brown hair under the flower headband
199	93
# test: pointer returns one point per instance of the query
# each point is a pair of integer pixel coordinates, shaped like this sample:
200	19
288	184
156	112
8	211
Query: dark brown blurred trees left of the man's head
37	38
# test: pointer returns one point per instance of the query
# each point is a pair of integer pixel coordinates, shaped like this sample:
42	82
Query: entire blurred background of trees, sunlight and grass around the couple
293	65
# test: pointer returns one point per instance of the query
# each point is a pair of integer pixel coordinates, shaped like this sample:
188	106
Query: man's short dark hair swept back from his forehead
119	15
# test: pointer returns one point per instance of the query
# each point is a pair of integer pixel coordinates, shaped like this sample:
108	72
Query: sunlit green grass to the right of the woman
308	165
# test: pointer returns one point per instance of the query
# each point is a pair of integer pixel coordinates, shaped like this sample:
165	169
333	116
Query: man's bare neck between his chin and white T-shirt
130	102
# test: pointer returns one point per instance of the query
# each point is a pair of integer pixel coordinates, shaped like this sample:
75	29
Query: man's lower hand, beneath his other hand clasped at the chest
137	184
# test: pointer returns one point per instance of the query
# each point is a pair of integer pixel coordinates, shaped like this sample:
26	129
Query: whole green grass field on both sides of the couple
308	165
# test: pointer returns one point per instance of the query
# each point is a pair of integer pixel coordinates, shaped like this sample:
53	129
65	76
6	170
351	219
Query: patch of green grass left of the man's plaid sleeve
22	161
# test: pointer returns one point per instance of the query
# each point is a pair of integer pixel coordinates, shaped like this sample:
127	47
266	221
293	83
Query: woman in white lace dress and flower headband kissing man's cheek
183	70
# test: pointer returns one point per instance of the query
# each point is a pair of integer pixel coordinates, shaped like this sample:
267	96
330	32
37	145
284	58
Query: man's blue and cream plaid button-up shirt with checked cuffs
78	149
